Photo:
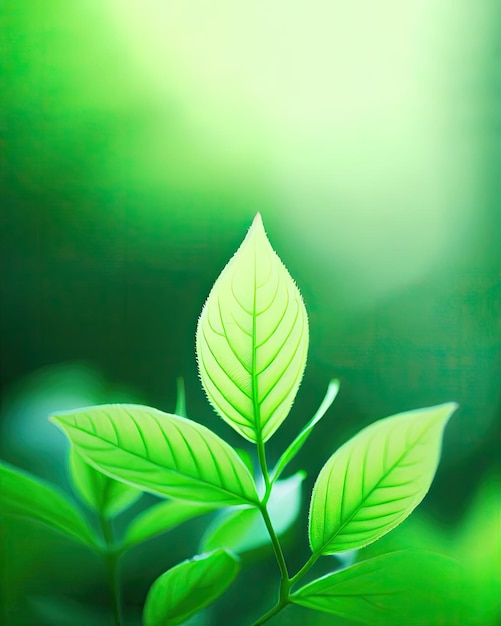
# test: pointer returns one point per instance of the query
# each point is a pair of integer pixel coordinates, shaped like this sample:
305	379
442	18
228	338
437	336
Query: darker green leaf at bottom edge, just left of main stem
189	587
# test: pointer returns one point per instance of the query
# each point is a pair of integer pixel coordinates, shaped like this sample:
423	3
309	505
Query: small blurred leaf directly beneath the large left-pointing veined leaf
160	518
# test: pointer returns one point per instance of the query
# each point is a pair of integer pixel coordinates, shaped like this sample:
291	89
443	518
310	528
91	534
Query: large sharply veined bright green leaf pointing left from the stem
158	452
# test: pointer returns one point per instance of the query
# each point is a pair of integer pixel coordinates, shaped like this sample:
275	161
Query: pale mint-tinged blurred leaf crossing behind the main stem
243	529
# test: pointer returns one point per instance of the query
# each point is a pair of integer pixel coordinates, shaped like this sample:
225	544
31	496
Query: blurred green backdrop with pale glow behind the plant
138	140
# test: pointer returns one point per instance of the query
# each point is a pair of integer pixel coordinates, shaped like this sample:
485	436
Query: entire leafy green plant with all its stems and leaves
251	346
